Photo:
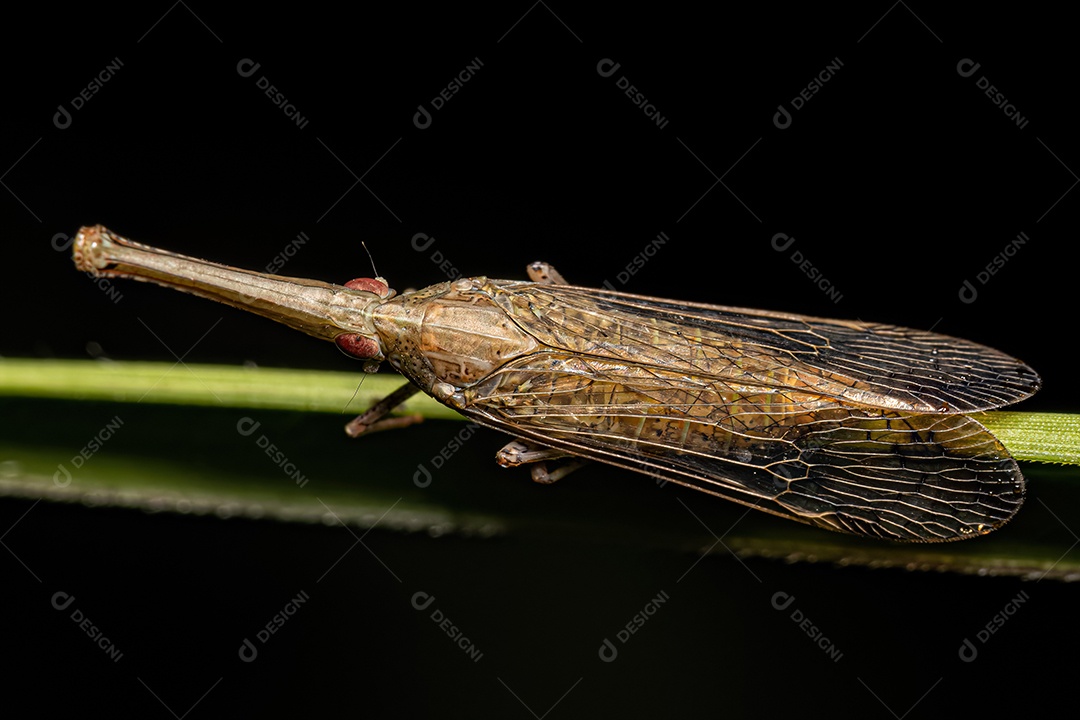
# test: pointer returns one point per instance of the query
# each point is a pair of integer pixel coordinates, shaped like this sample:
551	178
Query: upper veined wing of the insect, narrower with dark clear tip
854	363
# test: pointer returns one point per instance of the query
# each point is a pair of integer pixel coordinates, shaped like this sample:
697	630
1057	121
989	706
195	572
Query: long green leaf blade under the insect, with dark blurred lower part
268	444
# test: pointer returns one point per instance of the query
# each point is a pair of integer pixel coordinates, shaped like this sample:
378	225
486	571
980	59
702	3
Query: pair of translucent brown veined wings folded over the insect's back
820	422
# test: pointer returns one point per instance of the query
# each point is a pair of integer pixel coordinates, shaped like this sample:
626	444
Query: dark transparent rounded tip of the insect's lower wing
962	484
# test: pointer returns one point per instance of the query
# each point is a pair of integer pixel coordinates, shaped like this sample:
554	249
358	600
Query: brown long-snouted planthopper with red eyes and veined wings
847	426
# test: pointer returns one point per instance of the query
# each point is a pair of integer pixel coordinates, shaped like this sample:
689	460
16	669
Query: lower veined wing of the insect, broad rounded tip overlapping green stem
874	473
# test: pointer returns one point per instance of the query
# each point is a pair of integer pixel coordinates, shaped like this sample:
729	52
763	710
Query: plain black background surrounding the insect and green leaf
900	180
